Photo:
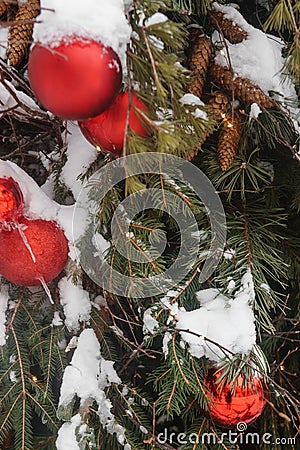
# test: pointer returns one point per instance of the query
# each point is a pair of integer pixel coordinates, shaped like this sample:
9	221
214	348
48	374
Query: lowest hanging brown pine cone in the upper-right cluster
229	140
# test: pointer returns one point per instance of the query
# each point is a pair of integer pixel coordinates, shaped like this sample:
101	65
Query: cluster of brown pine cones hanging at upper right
203	68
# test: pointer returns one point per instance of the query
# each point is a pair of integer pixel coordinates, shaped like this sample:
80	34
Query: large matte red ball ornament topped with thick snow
76	79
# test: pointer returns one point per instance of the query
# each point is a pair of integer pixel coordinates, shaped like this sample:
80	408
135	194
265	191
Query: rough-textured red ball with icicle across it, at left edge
49	247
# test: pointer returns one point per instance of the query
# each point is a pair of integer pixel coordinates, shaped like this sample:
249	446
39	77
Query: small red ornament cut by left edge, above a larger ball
11	200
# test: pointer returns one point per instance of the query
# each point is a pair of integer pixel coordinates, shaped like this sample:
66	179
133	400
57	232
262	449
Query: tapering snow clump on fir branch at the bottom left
86	377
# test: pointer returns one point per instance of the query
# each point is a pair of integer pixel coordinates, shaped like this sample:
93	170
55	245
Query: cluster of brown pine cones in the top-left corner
20	16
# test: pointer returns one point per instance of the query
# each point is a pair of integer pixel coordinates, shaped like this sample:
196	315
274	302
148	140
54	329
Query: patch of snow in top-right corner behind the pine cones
258	57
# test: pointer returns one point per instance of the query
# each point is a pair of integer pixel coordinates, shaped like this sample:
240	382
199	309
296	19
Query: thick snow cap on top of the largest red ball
100	20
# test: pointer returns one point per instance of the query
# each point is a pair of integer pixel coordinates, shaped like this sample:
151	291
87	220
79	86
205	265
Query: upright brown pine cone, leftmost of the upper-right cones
198	60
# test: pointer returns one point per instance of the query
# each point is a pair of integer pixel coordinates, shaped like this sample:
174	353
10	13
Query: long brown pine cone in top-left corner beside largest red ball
20	34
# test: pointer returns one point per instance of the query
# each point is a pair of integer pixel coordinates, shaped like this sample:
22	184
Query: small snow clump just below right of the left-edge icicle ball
75	302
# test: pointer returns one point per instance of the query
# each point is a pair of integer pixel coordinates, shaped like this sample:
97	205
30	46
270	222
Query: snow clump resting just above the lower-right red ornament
223	326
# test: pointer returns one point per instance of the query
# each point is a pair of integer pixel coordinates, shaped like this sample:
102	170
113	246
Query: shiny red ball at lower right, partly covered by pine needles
229	406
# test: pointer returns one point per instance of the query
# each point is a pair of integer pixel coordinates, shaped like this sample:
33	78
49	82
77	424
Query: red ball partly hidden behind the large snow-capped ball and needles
107	130
